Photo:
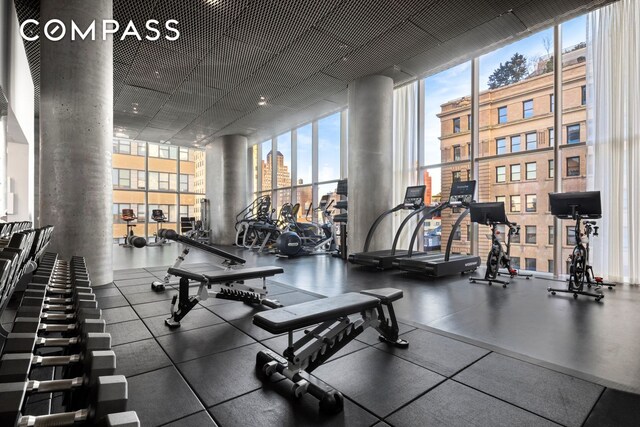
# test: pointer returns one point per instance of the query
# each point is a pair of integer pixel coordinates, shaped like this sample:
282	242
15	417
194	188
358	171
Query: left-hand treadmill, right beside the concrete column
383	259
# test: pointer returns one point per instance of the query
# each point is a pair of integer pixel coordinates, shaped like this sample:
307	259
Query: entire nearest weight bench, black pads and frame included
335	330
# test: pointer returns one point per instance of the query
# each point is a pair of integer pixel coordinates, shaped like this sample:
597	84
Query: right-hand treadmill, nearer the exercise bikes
443	264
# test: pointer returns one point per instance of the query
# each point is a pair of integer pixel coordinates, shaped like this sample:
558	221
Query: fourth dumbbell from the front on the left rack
29	342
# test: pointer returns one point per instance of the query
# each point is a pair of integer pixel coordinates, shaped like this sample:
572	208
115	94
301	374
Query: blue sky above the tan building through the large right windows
456	82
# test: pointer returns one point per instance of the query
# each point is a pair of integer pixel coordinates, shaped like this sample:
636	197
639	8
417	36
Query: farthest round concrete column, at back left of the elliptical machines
227	187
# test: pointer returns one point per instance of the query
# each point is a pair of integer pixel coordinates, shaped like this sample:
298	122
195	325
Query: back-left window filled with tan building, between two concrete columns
149	176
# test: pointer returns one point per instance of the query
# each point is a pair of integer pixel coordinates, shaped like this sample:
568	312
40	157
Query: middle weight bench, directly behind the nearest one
232	287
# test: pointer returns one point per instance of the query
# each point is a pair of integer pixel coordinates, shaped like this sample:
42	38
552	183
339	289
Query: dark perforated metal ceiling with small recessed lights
295	56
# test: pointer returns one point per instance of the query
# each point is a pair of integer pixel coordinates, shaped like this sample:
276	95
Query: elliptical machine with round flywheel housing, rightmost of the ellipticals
302	239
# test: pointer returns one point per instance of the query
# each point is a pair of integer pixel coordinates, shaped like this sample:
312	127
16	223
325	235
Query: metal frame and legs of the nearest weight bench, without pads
320	344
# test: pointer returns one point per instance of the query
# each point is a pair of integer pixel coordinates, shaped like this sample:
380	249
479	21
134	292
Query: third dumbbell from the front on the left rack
94	362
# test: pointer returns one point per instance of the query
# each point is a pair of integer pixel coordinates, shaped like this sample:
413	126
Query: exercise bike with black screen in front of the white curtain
580	207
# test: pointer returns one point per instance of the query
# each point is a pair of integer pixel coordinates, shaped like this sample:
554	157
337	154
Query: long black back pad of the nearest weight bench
309	313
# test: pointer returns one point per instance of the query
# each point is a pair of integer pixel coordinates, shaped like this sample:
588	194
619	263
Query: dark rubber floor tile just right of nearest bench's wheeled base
377	380
